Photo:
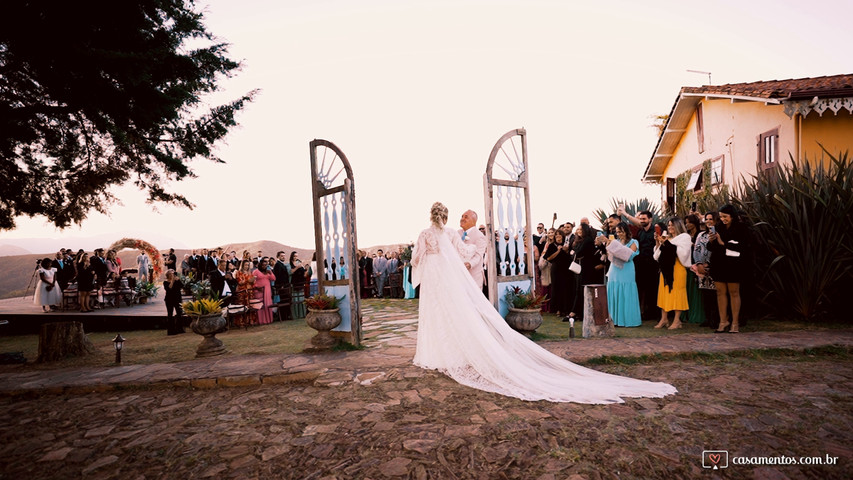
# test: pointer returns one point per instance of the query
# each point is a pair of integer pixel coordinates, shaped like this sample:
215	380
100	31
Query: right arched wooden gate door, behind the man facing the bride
507	206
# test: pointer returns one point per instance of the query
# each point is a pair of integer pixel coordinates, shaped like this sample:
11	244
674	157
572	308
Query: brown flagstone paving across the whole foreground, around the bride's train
371	414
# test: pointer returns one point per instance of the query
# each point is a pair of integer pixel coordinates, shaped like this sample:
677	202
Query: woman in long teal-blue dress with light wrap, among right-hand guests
623	302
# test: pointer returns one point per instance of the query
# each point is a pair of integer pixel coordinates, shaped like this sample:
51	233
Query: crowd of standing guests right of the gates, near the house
694	264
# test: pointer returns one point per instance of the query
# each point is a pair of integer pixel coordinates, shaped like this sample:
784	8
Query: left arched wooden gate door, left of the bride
335	233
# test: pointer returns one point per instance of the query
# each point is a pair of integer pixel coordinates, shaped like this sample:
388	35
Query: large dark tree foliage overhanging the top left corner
98	93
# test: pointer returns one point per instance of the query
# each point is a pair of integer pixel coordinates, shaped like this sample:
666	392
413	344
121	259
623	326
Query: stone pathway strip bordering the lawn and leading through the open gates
390	332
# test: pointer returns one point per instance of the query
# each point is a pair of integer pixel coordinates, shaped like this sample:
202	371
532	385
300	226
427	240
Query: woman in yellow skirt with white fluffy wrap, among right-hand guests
673	251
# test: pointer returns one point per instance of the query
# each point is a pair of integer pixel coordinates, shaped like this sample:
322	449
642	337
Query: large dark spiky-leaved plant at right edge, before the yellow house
804	235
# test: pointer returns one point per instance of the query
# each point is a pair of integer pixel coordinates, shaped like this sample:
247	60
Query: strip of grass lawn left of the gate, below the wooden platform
154	346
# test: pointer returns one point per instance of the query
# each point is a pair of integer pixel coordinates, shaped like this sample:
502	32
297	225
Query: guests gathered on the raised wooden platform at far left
89	274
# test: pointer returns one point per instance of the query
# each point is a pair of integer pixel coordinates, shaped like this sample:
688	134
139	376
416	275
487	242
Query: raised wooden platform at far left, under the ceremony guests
25	317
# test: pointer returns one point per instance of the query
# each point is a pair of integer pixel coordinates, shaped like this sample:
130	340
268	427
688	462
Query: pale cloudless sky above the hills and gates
416	93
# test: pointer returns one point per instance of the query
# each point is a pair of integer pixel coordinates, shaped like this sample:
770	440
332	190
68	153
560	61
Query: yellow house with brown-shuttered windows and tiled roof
738	130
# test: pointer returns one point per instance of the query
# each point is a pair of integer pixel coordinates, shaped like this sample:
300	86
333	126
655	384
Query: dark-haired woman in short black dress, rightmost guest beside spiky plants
729	247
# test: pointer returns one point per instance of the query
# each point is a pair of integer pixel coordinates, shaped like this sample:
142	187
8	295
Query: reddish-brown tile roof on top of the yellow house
835	85
